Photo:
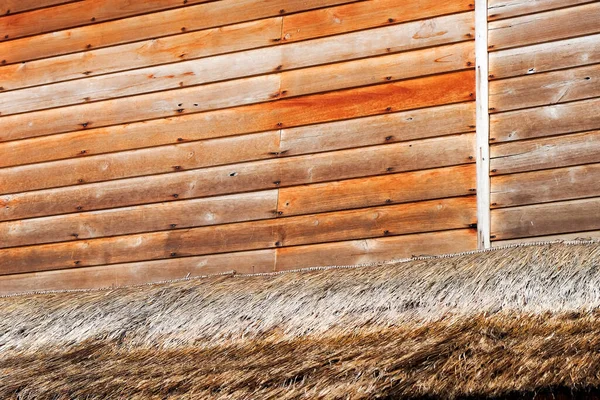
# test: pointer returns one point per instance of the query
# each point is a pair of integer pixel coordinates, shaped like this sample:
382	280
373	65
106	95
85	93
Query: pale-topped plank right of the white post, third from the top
545	57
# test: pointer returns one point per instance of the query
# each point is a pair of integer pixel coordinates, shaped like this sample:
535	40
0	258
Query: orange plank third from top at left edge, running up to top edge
149	26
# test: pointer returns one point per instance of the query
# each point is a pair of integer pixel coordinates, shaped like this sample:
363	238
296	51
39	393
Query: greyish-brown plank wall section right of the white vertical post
544	99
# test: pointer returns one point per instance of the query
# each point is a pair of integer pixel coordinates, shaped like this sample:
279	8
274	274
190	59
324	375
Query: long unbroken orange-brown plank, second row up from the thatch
391	220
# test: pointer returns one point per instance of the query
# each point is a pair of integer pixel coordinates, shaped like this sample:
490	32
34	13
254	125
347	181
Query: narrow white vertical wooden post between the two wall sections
483	125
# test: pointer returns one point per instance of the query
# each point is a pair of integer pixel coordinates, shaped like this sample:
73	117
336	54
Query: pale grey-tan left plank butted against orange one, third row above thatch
139	219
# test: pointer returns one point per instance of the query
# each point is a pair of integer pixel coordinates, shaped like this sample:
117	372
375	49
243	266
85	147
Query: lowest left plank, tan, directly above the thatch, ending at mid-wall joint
247	262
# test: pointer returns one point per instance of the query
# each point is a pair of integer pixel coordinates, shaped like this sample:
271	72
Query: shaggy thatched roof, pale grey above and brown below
513	321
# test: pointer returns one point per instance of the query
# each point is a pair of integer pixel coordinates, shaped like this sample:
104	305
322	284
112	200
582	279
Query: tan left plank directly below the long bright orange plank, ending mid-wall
150	161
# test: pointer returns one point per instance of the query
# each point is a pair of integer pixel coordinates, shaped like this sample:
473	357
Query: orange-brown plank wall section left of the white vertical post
158	139
